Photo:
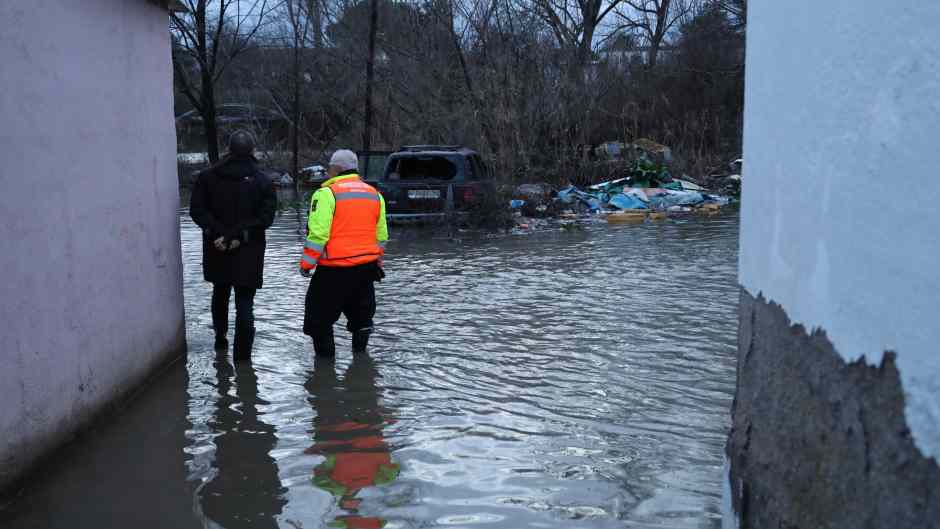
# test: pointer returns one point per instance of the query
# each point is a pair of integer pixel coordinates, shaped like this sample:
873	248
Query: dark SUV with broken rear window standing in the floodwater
424	182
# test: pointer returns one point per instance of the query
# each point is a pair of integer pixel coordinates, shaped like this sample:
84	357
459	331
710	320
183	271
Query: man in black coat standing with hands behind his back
234	203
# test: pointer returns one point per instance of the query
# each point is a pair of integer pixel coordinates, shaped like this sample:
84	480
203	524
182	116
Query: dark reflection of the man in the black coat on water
246	492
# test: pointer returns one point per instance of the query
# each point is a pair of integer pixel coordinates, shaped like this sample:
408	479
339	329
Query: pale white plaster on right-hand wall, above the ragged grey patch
841	203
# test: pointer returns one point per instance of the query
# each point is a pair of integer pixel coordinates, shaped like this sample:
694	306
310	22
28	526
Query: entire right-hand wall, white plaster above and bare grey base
839	231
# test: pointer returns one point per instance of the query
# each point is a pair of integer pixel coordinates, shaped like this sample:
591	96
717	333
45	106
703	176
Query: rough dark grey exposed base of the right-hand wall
818	441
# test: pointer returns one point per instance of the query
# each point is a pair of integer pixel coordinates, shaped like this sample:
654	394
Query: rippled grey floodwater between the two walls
559	378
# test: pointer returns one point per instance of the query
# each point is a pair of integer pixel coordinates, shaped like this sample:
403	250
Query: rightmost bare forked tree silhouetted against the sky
653	20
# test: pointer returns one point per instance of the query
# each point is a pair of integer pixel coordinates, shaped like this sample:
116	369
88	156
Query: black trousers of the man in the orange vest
334	291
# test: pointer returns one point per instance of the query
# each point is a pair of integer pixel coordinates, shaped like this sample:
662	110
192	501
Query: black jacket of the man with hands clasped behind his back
236	201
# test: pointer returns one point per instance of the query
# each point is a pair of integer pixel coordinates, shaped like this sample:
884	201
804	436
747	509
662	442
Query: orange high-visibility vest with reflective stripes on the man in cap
352	235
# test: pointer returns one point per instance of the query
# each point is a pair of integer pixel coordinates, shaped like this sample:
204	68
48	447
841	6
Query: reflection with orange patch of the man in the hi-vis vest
349	433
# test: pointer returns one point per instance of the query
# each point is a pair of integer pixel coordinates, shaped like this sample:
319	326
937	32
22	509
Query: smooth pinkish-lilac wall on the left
91	291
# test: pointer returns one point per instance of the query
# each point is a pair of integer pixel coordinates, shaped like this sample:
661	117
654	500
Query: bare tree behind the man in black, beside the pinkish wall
207	40
